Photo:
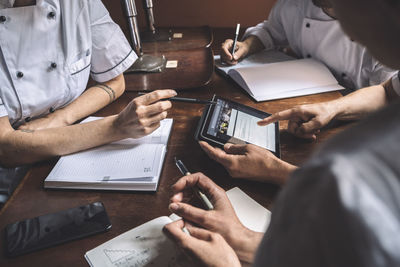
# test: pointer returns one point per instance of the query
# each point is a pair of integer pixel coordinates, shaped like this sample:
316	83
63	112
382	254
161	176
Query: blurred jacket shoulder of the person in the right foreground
342	208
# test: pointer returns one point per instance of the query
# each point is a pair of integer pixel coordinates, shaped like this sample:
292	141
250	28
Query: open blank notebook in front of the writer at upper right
271	74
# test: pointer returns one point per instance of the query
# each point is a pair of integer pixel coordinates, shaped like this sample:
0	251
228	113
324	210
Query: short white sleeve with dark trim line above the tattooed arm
111	51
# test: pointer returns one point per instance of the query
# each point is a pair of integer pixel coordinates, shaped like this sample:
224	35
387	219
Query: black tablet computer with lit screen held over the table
231	122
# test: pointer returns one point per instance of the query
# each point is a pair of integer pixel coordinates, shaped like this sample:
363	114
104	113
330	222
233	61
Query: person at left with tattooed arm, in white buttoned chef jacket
48	50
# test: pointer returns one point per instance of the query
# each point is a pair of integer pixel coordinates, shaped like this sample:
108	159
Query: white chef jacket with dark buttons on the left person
48	51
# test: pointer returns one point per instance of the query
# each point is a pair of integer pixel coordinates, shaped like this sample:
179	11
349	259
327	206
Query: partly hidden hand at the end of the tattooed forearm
51	120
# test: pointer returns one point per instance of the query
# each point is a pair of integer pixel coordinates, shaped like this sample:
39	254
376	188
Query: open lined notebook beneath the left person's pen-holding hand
130	164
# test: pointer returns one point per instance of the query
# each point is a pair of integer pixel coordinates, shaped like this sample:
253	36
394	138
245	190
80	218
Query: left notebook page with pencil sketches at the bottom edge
145	245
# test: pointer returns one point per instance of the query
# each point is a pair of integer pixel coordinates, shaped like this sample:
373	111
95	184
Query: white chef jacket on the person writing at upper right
309	32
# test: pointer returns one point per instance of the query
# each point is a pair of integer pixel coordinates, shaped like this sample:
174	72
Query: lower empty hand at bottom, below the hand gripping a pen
208	248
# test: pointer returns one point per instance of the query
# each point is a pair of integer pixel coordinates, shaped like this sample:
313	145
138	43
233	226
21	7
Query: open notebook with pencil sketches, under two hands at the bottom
147	245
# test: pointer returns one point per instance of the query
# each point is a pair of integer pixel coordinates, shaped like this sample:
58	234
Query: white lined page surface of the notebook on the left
109	162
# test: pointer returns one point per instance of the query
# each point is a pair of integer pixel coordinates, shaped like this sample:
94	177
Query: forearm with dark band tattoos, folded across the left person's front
92	100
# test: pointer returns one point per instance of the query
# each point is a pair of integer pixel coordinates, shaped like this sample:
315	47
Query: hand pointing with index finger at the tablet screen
305	121
